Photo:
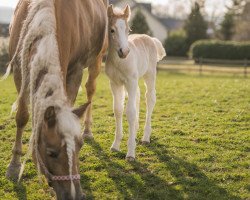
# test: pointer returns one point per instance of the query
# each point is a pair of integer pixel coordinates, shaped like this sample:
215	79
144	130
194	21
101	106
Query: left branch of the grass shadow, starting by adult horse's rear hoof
136	183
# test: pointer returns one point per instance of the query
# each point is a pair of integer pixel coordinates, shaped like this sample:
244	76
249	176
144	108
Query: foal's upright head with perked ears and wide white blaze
118	30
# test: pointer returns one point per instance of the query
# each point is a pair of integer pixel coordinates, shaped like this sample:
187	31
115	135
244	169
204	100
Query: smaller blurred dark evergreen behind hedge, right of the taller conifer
227	26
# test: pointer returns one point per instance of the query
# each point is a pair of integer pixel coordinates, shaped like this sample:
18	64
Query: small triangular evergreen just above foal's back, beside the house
139	24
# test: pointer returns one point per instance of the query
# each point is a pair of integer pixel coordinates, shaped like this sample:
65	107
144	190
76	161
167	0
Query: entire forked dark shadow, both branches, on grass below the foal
141	183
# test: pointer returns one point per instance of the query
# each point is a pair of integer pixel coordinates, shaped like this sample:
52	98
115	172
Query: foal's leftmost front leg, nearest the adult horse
118	107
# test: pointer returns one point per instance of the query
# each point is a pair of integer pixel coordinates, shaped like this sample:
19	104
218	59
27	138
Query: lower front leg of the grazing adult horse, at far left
22	117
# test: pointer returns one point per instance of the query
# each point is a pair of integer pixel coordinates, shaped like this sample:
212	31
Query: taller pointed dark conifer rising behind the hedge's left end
195	26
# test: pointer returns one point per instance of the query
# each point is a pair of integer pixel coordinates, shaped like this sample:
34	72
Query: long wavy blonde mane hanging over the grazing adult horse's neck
42	26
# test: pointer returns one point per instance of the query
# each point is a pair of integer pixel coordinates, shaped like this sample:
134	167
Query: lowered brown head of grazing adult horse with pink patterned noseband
56	150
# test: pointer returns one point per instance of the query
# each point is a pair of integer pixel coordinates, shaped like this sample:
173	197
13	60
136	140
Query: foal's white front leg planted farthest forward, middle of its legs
131	116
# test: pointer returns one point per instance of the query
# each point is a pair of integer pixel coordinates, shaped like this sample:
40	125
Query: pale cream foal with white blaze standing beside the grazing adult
129	58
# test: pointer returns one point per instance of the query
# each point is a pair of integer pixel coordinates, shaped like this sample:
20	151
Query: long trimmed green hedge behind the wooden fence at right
224	50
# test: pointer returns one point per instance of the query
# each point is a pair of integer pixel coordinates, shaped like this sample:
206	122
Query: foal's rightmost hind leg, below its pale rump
150	101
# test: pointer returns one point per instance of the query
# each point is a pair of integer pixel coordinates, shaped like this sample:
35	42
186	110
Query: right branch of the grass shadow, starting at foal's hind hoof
195	184
